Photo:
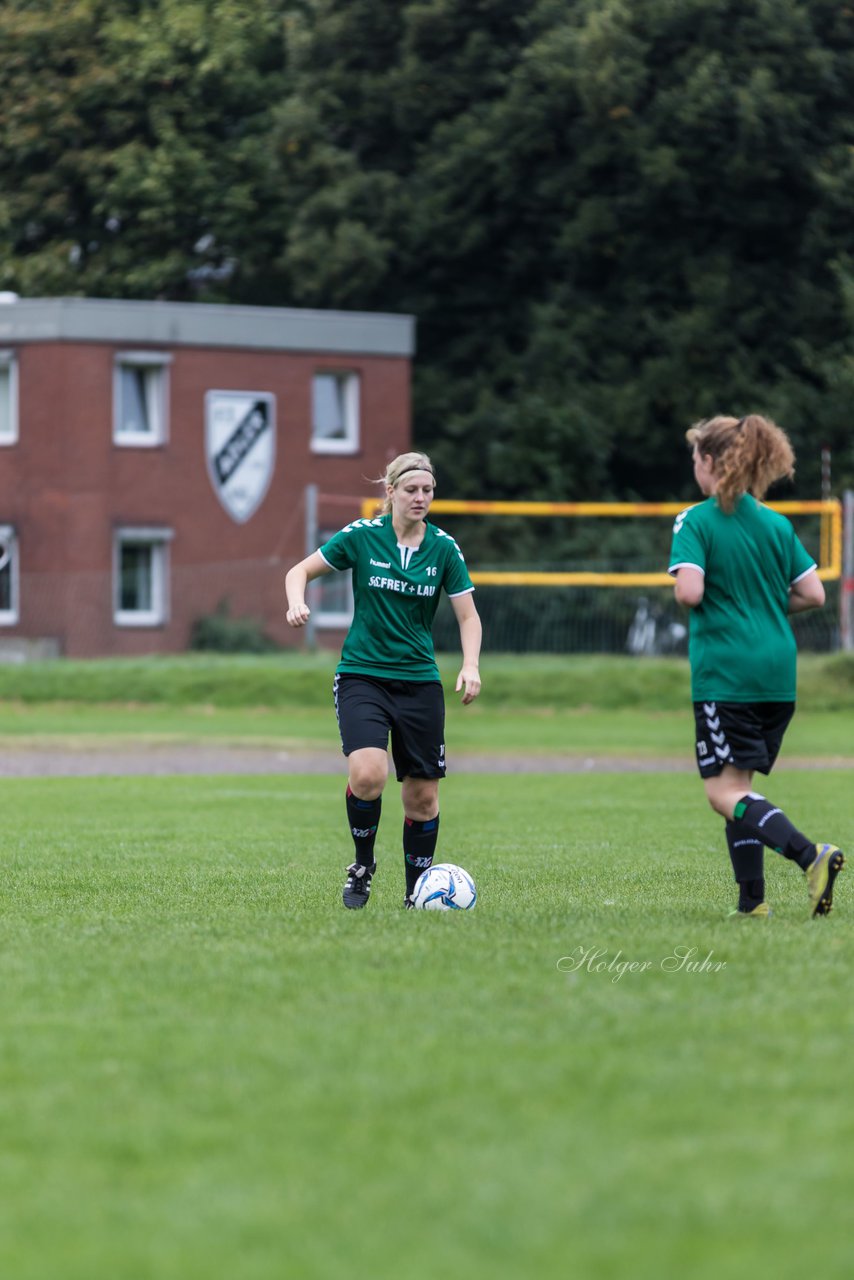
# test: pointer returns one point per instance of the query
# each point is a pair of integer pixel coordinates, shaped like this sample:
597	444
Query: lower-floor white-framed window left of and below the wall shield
141	578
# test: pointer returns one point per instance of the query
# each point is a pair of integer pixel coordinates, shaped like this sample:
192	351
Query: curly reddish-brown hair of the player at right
750	455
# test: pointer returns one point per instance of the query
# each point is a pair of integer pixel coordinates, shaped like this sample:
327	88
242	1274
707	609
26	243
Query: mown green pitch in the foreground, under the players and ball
209	1068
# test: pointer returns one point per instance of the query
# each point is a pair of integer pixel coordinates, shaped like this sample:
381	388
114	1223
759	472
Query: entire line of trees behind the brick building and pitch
610	217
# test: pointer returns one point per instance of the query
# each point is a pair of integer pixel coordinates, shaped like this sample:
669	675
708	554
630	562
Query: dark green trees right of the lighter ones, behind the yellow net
610	218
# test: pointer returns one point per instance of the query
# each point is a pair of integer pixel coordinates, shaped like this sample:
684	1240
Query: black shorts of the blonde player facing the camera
410	711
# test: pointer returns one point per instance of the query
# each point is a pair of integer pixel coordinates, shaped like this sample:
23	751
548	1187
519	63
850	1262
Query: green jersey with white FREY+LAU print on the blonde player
396	595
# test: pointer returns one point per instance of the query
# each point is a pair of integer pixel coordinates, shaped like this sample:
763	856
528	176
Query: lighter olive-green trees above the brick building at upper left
134	145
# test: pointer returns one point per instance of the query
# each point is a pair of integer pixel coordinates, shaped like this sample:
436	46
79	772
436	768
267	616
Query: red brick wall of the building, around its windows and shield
66	487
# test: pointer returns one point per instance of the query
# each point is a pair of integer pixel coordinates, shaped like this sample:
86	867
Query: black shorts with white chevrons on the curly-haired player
746	735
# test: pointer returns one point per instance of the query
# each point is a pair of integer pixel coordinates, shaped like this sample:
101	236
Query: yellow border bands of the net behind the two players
830	560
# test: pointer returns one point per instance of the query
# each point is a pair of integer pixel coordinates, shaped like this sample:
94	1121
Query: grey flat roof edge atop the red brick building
198	324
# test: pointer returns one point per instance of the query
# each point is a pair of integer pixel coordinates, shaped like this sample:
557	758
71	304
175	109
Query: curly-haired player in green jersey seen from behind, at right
742	570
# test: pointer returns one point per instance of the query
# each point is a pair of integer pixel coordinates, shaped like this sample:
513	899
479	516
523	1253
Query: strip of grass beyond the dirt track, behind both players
537	705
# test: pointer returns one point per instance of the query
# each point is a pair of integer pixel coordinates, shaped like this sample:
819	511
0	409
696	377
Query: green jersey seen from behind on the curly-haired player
741	643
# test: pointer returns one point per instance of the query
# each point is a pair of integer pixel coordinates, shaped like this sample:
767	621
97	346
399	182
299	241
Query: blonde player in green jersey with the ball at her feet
387	682
